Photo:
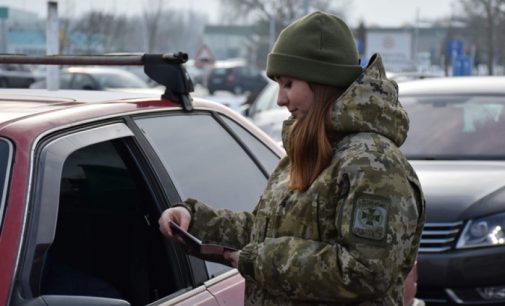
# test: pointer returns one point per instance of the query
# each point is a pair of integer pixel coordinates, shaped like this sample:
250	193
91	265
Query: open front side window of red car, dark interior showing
107	242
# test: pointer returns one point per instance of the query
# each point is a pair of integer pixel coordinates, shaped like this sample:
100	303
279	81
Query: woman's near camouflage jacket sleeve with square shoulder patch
376	219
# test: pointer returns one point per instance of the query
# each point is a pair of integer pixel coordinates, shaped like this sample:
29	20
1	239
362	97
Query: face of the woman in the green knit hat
296	95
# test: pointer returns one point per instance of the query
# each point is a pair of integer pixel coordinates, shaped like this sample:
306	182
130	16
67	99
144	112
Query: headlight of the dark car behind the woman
483	232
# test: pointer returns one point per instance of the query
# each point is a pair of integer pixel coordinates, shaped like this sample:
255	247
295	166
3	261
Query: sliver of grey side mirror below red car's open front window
71	300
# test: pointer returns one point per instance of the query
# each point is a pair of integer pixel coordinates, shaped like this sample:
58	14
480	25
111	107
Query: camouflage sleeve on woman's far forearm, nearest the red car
220	226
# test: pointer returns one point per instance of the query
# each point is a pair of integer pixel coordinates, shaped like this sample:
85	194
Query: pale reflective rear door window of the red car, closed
204	161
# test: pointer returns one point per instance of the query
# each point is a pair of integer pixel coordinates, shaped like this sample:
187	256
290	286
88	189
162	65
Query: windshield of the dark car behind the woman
455	127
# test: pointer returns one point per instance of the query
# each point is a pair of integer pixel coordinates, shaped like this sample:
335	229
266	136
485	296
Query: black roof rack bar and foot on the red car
165	69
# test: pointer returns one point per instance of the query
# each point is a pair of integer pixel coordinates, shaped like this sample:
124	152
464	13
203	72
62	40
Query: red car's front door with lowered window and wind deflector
91	235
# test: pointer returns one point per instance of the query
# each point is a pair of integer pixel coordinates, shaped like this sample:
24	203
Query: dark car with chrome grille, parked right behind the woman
457	148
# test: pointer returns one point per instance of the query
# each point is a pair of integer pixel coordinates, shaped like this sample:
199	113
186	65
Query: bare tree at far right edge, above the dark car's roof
485	21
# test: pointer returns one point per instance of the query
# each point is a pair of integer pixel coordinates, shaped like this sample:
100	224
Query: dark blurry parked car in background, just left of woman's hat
236	78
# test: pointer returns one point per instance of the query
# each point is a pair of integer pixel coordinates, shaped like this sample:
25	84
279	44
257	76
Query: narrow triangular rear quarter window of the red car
265	155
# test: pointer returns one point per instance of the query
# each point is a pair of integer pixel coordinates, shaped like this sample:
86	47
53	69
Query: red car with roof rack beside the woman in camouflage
84	176
